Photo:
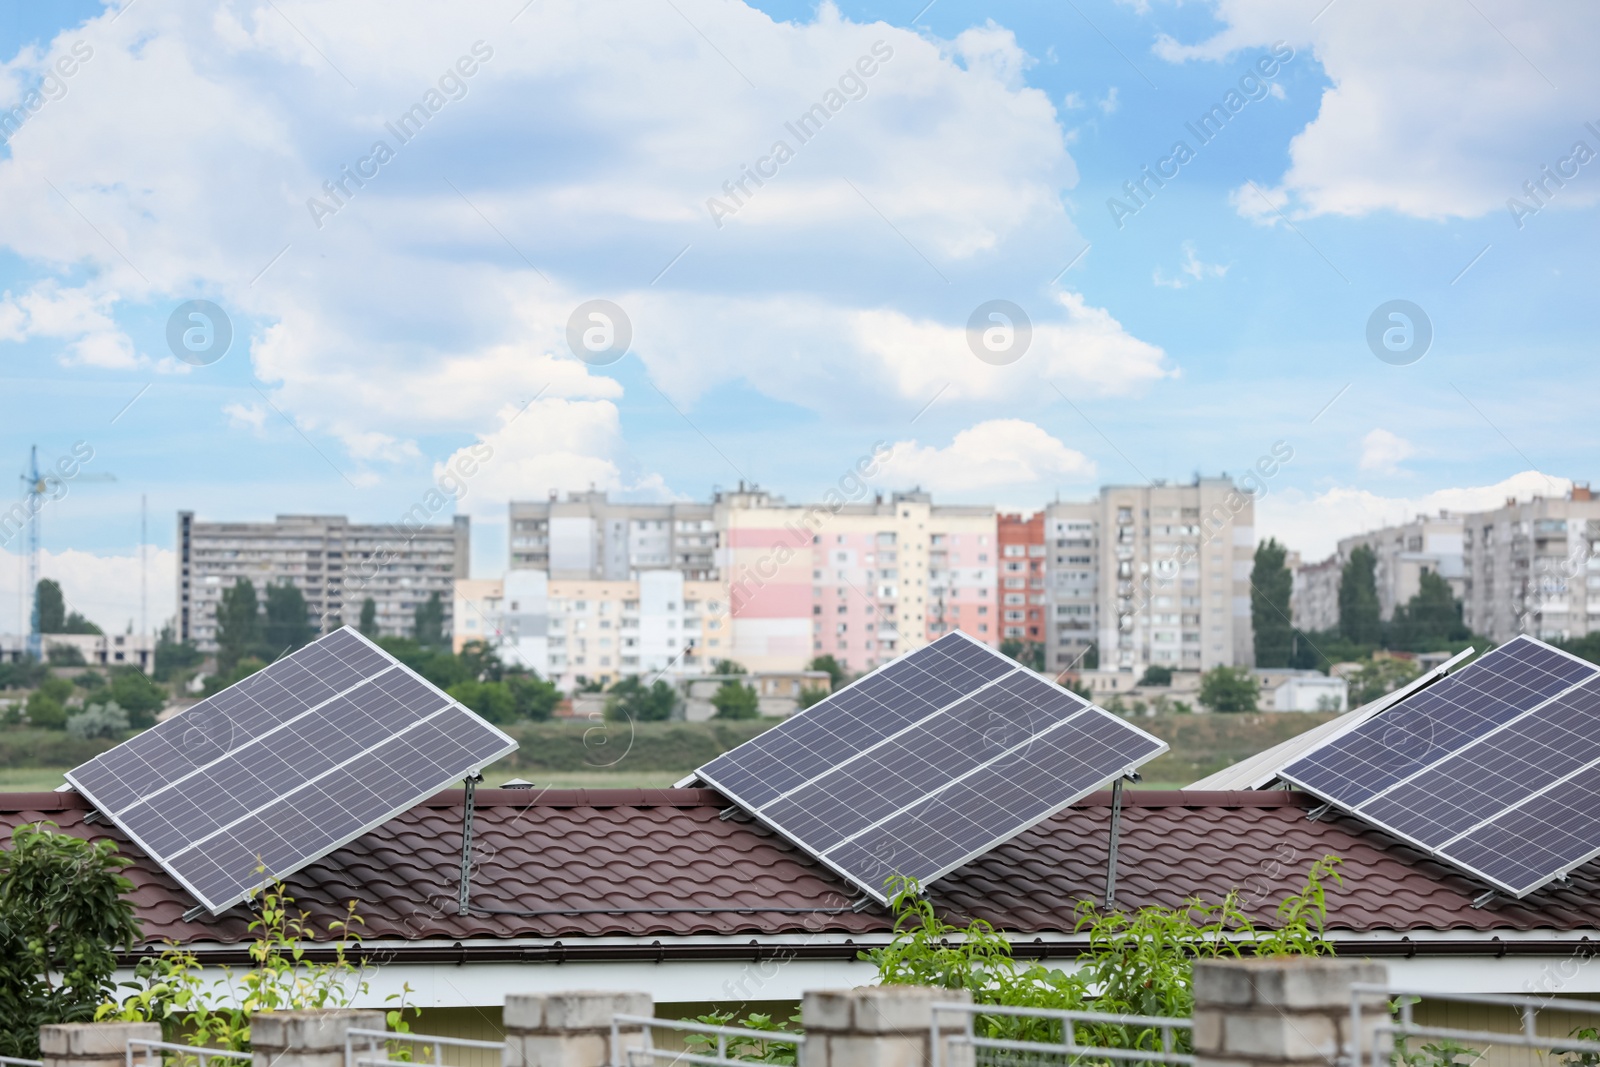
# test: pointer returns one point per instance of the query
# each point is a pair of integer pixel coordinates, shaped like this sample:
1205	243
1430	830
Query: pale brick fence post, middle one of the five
570	1029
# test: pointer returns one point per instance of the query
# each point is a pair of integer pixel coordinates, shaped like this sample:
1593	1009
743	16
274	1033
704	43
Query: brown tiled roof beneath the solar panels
654	865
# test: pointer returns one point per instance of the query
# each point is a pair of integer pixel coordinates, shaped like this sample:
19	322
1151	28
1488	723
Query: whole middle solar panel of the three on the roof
927	764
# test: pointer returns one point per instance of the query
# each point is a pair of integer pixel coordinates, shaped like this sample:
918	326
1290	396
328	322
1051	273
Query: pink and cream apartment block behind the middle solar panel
860	581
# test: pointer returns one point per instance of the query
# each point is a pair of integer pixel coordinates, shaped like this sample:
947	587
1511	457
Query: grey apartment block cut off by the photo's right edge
1534	569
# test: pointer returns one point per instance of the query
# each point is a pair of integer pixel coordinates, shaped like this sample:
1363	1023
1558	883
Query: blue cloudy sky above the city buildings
274	258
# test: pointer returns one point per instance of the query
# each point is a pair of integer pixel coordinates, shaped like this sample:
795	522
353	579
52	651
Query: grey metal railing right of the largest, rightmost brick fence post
1402	1025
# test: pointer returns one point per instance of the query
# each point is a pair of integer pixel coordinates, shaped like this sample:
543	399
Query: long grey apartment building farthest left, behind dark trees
335	564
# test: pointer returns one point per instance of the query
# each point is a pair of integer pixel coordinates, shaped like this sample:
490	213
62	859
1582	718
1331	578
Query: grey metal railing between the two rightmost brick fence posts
996	1052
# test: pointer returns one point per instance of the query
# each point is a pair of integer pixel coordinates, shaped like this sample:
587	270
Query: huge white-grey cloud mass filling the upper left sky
441	290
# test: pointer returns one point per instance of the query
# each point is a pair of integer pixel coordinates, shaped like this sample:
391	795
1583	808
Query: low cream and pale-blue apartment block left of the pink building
574	631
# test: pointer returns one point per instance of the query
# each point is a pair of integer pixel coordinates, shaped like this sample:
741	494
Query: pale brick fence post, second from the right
881	1026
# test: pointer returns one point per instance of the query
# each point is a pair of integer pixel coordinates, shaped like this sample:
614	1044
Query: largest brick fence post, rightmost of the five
1286	1012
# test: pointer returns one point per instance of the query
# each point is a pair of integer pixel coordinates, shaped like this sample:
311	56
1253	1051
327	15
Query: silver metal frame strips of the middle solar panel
876	892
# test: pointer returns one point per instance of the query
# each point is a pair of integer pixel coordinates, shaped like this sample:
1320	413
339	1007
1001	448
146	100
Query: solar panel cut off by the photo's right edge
1484	769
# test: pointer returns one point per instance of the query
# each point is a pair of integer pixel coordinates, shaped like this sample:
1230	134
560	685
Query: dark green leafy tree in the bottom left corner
65	914
